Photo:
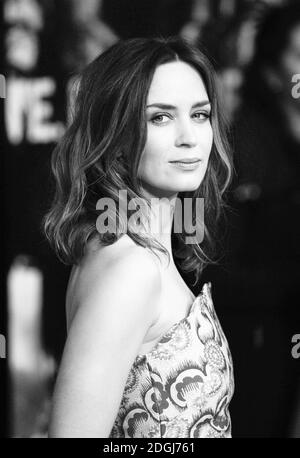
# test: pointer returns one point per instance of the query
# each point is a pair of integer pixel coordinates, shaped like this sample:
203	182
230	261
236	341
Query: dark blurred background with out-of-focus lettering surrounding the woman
255	46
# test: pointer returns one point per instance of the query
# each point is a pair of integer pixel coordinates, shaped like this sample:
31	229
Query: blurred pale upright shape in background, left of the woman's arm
31	368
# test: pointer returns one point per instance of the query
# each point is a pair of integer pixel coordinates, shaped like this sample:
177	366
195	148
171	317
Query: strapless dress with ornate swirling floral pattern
183	386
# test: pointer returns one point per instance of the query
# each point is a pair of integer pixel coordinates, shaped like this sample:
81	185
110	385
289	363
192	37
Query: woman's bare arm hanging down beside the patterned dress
105	335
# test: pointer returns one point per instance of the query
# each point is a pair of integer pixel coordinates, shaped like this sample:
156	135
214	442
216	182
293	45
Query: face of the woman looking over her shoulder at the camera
179	132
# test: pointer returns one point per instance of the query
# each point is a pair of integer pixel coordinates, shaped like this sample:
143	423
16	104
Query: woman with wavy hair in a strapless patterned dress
143	357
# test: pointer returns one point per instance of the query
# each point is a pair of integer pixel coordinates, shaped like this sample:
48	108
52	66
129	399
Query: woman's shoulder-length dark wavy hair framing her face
100	152
